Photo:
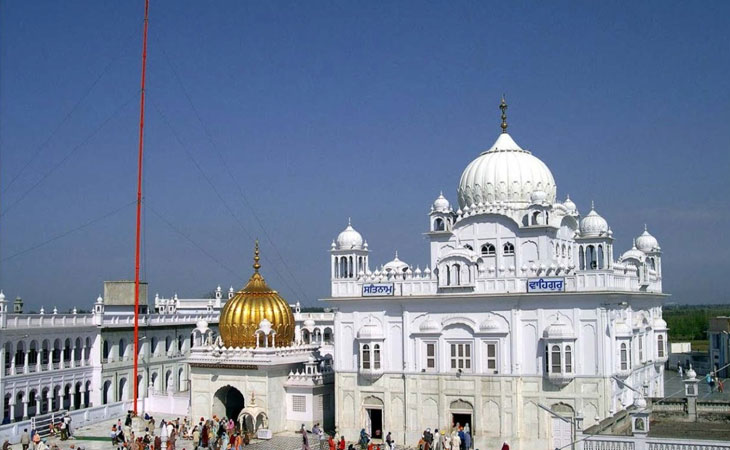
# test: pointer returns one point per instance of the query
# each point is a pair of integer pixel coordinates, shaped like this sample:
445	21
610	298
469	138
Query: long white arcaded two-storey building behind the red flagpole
52	362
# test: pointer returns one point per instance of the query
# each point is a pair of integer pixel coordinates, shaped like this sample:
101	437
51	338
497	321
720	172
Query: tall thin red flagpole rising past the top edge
139	207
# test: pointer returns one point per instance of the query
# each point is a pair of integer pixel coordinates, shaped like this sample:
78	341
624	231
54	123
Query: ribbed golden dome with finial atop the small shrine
243	313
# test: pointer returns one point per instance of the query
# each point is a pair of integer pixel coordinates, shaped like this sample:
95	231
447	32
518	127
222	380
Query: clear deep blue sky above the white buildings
325	110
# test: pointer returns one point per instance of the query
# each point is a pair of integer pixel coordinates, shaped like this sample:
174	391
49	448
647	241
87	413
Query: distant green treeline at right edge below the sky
690	322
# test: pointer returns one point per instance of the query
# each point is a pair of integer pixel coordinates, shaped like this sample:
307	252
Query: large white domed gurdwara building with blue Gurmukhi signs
522	307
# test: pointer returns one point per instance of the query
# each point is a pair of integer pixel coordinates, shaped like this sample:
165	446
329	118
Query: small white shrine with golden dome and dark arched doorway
269	369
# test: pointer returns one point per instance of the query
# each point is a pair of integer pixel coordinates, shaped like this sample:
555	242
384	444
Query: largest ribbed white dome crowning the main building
505	173
